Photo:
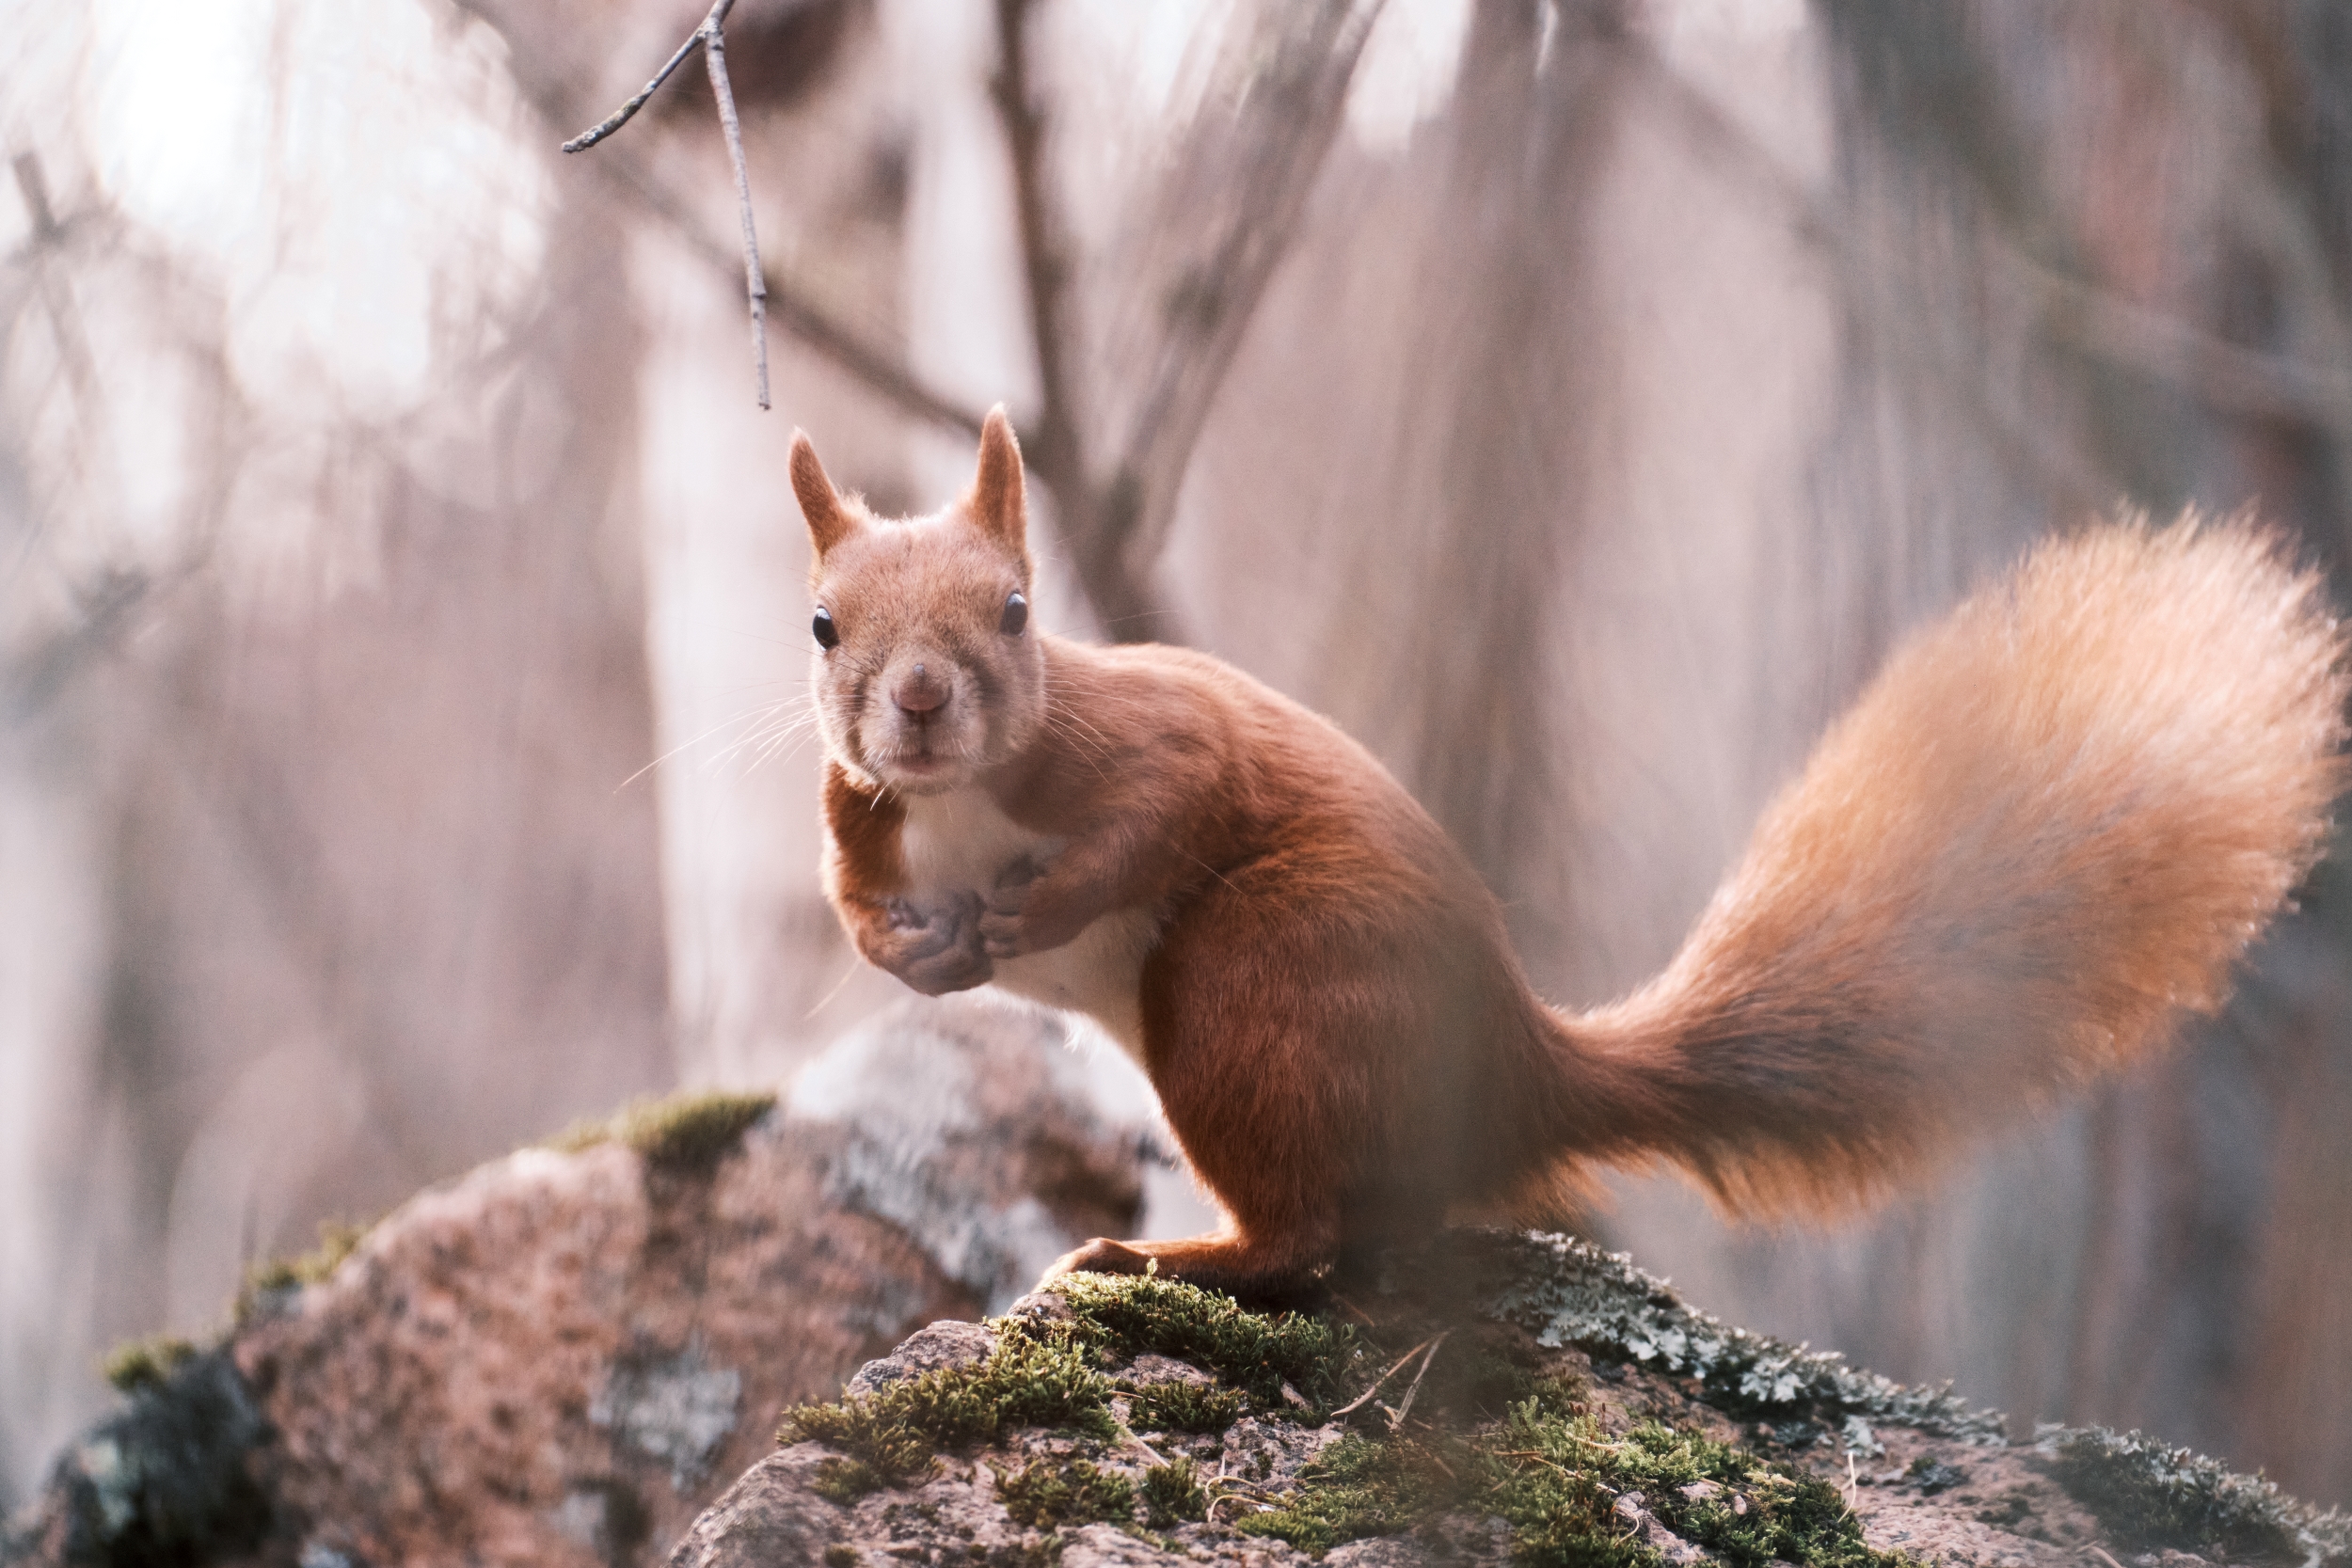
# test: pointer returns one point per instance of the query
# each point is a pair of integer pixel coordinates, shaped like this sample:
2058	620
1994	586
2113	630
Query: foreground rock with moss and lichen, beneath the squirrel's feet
1920	1473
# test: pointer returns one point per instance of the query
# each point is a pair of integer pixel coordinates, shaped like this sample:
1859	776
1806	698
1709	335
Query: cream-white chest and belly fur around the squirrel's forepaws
963	843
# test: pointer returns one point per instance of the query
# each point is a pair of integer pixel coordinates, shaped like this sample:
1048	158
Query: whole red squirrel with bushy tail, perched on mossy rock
2040	836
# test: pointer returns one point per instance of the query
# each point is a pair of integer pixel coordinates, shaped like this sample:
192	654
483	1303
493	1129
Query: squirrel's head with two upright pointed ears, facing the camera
928	669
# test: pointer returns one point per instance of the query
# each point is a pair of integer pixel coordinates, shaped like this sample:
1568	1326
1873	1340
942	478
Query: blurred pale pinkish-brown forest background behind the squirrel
1575	398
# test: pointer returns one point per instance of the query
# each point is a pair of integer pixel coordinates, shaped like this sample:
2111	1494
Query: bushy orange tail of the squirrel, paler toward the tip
2045	831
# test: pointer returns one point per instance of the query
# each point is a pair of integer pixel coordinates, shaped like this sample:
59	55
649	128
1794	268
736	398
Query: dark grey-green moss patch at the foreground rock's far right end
2151	1496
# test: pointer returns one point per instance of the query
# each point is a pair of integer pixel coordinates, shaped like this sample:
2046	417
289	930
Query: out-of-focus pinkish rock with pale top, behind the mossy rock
563	1355
